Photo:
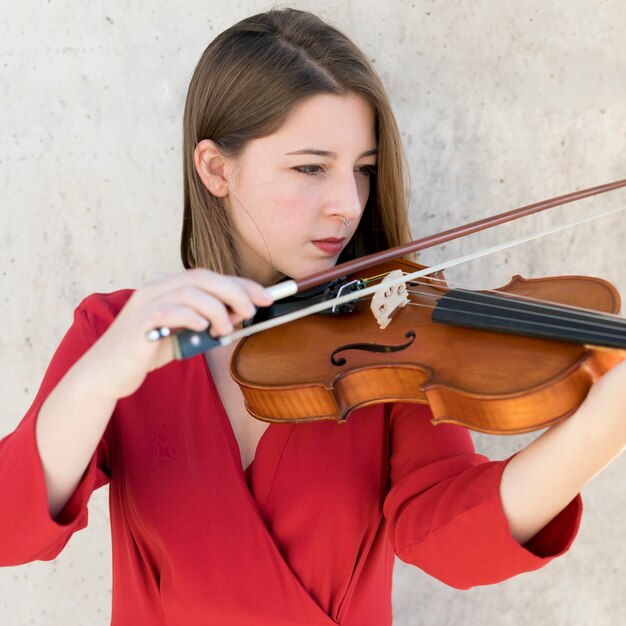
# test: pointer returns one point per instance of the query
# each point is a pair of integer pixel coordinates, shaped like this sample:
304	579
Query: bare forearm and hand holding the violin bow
74	416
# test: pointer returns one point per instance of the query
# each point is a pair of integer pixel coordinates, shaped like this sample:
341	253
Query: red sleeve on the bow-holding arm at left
27	530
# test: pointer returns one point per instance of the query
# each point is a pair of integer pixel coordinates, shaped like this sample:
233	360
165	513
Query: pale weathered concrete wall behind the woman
500	103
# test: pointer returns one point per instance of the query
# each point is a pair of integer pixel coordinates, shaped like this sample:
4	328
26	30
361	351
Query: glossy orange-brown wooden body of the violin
324	367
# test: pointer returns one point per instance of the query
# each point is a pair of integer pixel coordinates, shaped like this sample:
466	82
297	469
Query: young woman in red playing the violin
292	161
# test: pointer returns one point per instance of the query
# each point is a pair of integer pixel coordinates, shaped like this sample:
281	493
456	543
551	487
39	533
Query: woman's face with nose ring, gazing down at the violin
289	192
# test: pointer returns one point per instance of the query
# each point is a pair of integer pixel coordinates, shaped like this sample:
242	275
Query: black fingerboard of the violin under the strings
530	318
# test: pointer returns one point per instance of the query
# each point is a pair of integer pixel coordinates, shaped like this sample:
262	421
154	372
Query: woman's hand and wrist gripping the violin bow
194	299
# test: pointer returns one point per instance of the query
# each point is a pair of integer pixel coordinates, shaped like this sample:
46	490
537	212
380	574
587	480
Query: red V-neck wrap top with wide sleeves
306	536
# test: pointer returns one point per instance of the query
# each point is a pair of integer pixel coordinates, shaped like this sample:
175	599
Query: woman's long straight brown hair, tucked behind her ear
245	85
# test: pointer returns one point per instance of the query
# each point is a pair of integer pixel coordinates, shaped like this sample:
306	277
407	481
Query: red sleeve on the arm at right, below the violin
444	510
